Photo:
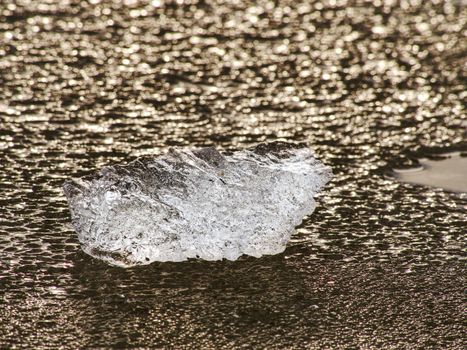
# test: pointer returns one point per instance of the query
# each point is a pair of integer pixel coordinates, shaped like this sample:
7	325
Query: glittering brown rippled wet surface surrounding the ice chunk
379	265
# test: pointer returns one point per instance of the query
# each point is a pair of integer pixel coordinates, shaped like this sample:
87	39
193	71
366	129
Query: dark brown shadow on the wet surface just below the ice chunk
220	296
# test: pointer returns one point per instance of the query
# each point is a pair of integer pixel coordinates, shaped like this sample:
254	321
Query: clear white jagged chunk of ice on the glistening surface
196	204
